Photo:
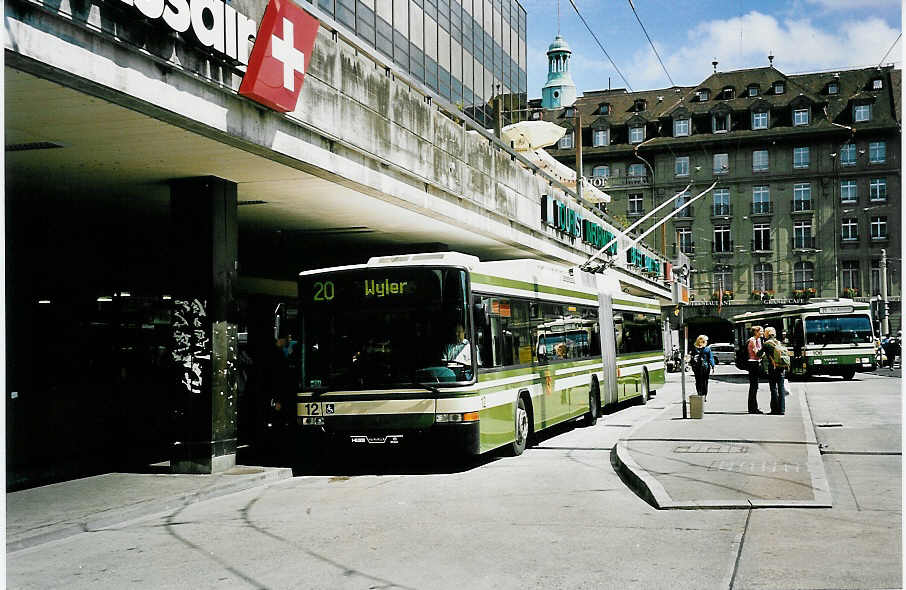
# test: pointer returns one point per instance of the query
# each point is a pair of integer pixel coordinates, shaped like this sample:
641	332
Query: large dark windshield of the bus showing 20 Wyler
385	327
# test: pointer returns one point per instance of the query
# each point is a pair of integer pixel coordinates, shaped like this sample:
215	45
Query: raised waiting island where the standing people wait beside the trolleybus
729	458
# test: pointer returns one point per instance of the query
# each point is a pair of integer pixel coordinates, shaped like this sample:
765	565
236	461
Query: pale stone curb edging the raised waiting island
652	491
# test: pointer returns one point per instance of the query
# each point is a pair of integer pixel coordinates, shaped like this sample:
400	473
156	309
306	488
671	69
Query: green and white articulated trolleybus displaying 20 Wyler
471	355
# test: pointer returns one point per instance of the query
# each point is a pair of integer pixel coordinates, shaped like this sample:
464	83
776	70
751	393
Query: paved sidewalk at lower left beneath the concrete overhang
56	511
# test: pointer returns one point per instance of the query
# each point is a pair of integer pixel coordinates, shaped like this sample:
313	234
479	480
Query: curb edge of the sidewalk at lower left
119	515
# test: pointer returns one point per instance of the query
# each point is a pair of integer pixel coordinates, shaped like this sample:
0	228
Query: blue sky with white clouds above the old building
803	35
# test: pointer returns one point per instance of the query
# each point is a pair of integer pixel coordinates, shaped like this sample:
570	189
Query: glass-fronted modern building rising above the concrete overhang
463	50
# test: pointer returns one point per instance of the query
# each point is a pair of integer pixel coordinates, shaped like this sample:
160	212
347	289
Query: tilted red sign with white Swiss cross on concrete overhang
280	56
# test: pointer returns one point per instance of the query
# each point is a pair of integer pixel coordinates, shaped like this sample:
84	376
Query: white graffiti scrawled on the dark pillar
191	344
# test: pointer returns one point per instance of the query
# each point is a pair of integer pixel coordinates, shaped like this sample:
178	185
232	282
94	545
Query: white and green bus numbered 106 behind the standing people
827	337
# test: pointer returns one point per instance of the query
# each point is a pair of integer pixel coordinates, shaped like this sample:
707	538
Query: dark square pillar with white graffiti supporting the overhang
204	260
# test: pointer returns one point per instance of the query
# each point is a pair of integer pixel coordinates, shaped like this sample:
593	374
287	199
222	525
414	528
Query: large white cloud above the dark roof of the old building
797	44
